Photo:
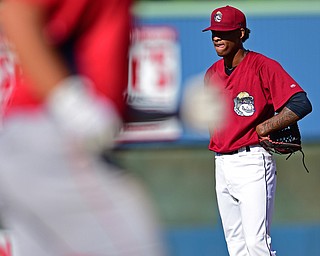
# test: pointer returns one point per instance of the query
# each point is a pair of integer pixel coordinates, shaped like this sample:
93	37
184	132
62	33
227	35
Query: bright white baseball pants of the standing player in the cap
245	188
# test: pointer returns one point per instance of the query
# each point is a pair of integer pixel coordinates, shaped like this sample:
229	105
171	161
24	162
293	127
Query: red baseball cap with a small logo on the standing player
226	19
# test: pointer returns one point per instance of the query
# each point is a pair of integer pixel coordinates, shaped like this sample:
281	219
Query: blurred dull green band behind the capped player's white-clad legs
181	183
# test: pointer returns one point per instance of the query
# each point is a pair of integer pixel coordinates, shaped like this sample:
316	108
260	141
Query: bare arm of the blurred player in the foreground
23	23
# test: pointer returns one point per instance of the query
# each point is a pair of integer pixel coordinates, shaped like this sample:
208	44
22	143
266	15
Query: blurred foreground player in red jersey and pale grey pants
58	197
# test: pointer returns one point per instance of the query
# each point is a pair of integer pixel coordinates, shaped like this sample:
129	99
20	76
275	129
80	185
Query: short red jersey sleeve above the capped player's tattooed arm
279	84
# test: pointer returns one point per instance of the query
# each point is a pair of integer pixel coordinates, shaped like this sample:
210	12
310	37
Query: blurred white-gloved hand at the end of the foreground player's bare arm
84	117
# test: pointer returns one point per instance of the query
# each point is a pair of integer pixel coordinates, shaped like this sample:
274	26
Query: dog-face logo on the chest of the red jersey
244	104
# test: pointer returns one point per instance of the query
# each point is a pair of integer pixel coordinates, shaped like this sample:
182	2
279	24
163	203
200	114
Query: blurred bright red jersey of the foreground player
90	35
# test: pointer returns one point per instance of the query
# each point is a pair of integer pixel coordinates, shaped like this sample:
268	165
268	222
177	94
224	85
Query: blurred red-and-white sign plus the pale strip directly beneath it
154	85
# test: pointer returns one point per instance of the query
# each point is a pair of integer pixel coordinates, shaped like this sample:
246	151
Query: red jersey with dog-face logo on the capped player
257	88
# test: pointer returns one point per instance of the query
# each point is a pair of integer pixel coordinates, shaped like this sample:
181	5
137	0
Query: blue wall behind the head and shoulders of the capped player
292	40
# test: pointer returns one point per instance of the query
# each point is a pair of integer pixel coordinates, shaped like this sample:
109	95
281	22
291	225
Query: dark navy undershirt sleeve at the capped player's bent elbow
299	104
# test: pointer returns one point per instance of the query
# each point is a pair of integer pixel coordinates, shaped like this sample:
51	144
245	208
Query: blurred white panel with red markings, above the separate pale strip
154	70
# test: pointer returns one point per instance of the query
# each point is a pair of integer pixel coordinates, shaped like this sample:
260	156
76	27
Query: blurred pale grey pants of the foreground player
58	202
